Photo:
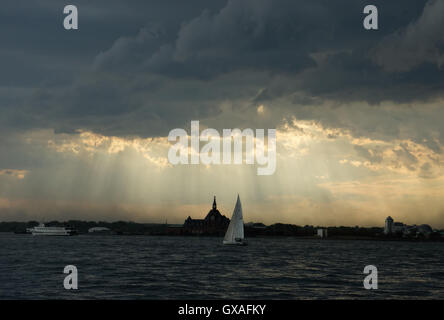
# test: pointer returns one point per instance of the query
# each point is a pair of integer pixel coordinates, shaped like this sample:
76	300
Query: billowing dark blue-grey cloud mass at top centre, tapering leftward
245	35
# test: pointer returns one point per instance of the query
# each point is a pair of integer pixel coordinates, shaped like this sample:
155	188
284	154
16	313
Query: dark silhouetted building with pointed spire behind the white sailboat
214	223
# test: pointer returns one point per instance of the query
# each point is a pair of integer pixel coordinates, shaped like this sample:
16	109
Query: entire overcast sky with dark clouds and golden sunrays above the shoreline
85	114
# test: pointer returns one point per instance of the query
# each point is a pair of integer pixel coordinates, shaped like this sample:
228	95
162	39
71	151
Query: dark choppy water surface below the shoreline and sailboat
144	267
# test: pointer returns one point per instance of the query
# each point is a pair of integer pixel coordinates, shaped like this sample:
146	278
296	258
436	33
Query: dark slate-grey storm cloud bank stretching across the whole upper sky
144	67
